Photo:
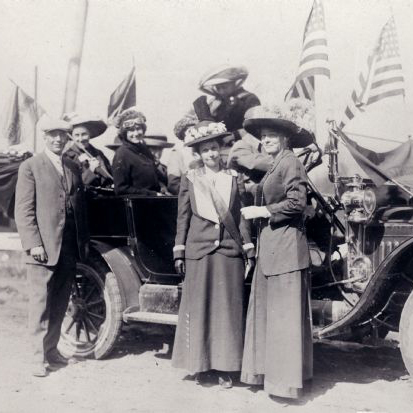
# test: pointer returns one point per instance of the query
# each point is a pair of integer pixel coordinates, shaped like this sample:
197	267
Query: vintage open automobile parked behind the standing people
361	244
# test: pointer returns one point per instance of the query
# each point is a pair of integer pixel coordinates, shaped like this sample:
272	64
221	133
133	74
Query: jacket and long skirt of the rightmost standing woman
278	341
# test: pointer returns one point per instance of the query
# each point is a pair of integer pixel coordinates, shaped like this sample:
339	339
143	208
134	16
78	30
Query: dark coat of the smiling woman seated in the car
134	170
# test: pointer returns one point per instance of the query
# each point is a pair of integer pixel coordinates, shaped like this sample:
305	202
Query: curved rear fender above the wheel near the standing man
120	262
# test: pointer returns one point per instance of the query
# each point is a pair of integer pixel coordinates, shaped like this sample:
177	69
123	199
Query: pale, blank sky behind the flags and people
174	42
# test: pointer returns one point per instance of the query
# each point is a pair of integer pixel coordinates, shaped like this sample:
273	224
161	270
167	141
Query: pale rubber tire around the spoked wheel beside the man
110	329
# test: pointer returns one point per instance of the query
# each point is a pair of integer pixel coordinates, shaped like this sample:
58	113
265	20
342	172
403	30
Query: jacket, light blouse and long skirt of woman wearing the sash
210	329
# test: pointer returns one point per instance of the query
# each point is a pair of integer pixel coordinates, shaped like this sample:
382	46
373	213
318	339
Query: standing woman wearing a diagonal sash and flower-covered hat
211	245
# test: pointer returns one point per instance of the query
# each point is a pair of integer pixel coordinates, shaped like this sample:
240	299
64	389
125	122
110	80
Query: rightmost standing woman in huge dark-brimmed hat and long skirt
278	342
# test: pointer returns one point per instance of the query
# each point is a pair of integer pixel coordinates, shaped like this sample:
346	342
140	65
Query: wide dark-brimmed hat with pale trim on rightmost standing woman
295	119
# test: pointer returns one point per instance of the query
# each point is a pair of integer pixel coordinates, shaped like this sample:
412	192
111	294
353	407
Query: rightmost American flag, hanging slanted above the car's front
383	77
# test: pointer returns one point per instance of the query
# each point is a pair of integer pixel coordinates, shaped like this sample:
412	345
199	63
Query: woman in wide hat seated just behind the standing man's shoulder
96	169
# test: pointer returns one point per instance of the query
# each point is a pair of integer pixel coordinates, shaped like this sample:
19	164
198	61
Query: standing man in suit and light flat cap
51	220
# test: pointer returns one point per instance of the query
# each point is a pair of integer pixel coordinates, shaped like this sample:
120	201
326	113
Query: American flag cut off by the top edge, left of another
314	56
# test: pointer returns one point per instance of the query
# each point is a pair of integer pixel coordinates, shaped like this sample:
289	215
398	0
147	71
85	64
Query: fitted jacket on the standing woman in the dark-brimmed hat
282	242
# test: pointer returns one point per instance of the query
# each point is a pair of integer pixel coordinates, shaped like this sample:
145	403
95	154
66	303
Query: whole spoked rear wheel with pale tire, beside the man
93	319
